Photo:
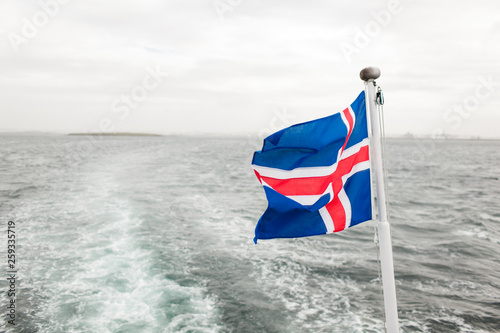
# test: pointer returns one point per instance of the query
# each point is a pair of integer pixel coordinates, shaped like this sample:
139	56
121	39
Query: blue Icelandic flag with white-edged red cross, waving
316	176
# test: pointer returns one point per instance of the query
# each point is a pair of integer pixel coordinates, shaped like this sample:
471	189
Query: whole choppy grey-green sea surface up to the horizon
154	234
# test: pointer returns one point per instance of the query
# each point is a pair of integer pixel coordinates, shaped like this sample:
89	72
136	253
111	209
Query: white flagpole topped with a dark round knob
369	75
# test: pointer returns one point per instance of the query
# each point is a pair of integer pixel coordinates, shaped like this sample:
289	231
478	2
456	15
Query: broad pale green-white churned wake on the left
92	271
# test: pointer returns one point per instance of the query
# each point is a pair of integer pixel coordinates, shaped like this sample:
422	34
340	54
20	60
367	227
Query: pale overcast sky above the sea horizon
246	66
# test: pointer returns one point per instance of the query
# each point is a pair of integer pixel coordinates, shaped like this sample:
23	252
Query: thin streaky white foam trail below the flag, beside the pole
281	272
